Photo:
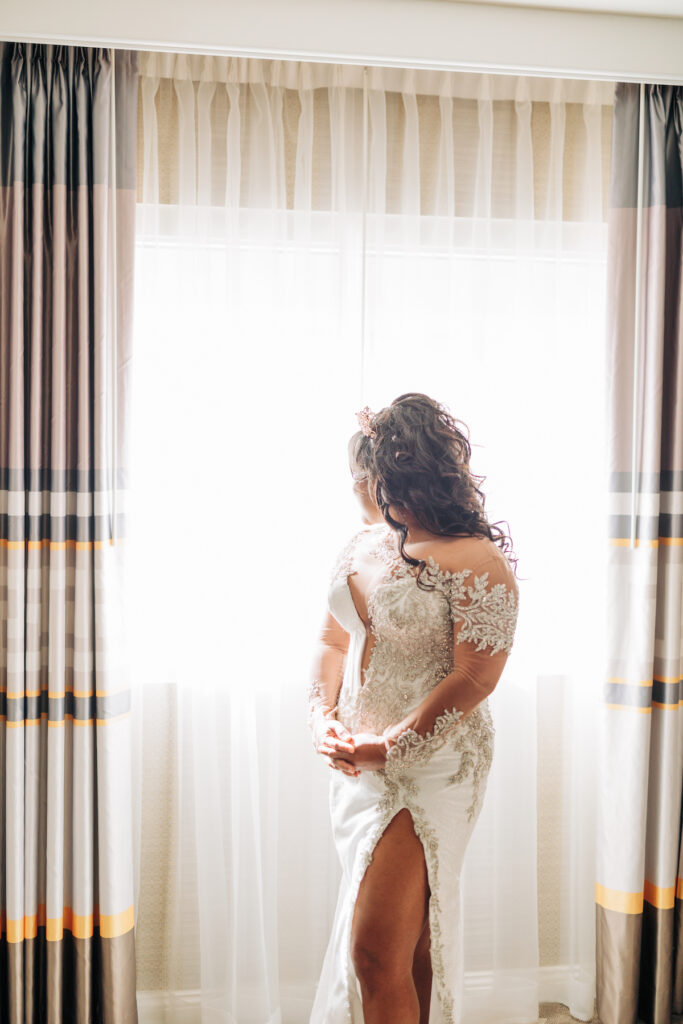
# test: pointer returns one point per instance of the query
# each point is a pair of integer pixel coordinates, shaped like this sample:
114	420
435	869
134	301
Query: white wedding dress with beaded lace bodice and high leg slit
441	774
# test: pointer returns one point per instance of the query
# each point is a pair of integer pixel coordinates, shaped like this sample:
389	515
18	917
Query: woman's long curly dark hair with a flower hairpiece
419	461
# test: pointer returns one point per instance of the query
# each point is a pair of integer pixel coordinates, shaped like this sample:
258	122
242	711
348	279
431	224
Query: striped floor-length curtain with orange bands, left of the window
67	945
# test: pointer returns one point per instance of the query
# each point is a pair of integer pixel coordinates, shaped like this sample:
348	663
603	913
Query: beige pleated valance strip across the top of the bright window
439	144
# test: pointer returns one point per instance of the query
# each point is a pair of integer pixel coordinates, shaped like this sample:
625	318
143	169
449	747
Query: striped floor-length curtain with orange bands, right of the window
641	849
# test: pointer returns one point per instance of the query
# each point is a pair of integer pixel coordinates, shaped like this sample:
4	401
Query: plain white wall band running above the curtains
413	33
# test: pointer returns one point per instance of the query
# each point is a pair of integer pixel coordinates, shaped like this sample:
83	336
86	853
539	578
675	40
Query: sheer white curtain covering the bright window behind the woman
312	238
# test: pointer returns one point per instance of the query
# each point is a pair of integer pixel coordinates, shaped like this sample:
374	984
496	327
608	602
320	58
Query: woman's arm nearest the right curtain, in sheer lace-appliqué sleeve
484	607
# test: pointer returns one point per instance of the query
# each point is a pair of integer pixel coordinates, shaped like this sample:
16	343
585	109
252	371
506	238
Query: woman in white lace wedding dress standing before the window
422	610
